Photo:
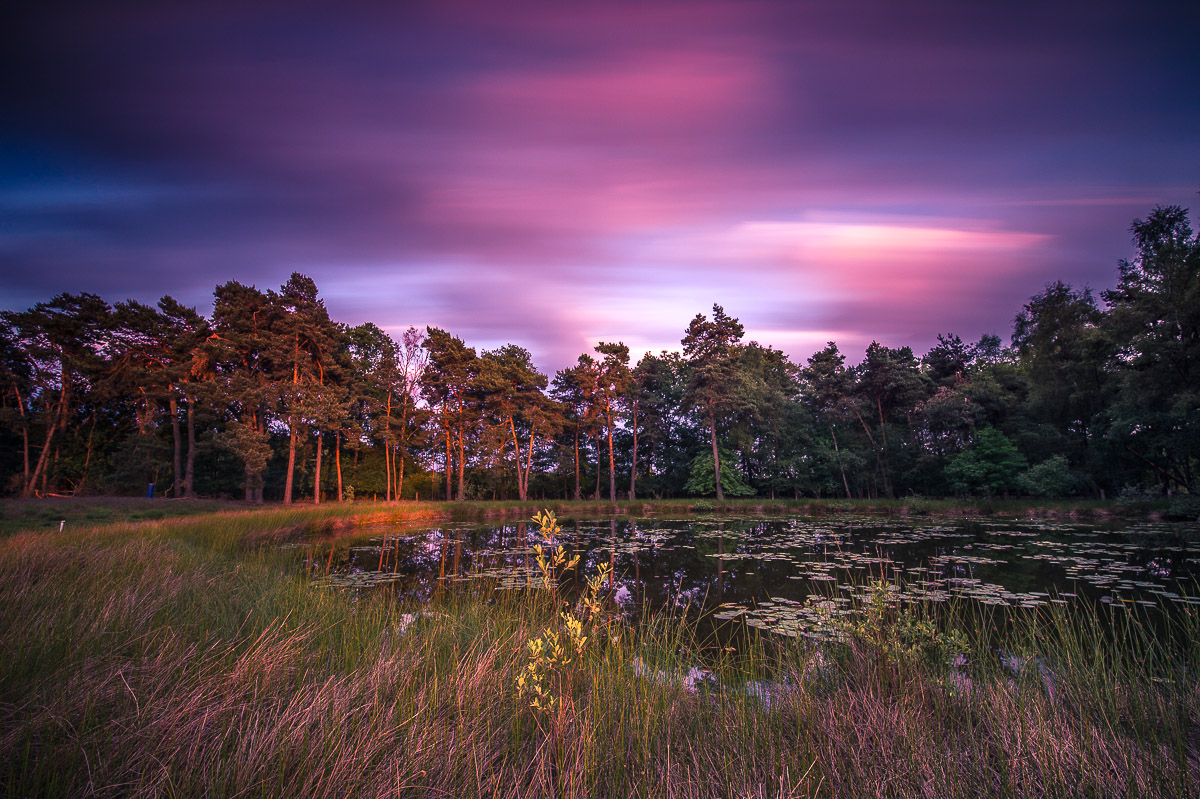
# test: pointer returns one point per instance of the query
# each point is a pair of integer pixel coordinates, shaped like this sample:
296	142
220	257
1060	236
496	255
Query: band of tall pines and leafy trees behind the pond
269	399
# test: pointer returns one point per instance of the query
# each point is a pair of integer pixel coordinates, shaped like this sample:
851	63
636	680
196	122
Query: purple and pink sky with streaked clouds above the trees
557	175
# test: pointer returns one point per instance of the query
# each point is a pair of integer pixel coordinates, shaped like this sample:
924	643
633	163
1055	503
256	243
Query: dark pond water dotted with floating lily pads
794	576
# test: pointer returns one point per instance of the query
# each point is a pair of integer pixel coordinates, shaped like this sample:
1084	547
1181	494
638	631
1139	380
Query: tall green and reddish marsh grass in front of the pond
191	658
